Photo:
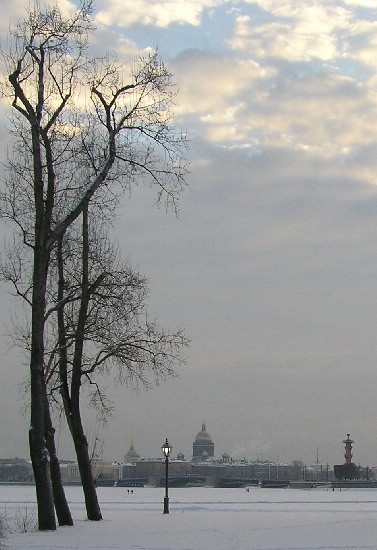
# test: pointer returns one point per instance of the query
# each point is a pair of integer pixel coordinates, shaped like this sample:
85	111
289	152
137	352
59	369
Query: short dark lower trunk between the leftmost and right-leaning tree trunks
61	505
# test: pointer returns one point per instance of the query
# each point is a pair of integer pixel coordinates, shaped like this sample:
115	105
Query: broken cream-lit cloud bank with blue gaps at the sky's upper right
296	78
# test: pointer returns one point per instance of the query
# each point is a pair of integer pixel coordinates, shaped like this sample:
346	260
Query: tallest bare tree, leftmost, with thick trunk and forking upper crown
78	124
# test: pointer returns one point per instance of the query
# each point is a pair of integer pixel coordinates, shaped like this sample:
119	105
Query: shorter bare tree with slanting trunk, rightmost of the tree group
101	325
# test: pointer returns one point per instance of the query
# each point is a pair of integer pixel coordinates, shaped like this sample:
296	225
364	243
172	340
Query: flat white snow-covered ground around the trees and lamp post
206	519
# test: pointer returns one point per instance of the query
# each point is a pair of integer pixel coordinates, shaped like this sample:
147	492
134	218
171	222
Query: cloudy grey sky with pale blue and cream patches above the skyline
271	263
